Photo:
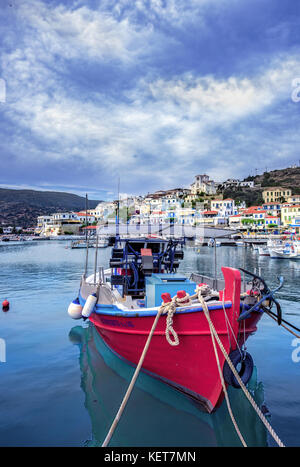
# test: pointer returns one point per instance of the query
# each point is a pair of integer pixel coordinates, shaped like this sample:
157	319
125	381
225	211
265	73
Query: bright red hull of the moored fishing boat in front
191	366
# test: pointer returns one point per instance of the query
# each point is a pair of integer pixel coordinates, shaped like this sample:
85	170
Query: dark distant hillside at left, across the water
22	207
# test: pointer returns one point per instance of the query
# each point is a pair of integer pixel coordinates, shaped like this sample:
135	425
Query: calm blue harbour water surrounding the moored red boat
60	386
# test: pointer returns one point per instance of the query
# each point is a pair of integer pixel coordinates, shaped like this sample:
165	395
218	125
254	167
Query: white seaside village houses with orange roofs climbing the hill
200	203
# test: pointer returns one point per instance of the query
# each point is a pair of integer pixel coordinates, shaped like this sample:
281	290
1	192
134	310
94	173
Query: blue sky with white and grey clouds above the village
151	91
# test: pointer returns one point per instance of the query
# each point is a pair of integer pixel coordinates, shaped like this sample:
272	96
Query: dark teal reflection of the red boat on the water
156	414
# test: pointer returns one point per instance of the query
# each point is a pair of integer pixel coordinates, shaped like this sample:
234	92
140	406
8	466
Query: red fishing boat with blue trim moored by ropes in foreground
123	310
